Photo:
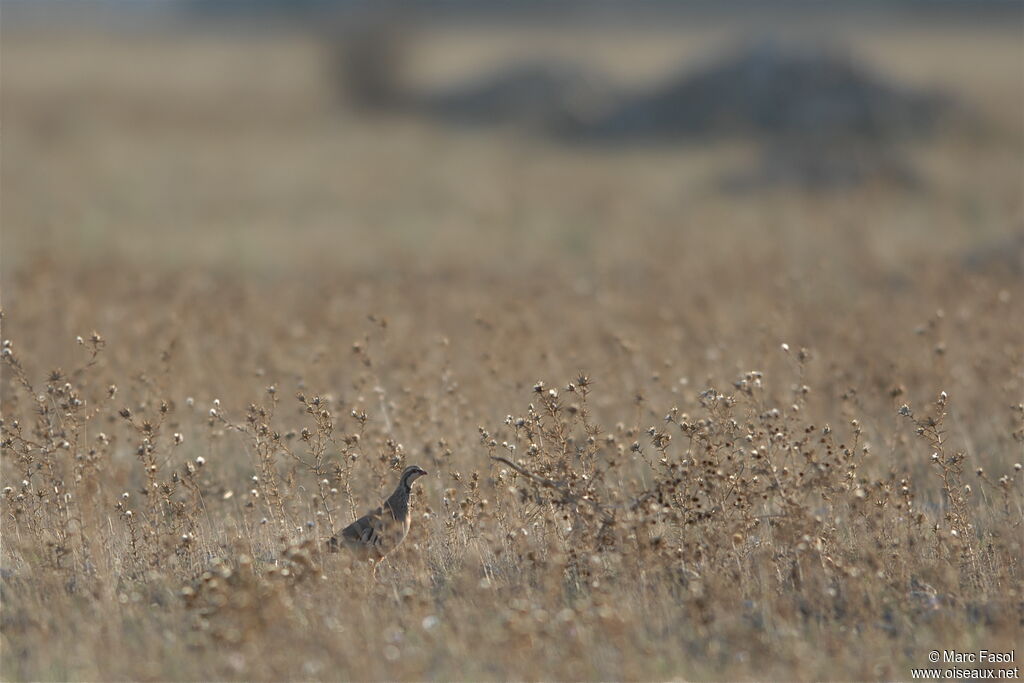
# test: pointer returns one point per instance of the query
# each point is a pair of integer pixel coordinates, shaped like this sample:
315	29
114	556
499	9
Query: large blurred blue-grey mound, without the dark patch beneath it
772	91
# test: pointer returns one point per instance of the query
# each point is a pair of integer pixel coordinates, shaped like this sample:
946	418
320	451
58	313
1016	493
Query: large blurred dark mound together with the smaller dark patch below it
824	121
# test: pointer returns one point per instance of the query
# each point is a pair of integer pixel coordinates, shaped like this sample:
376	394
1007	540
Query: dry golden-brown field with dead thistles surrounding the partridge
291	305
